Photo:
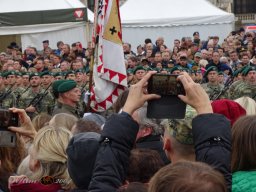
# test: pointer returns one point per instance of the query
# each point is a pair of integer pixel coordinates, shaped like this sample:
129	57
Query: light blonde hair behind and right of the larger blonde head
63	120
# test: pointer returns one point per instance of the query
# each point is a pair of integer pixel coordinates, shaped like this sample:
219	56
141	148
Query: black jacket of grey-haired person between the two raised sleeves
153	142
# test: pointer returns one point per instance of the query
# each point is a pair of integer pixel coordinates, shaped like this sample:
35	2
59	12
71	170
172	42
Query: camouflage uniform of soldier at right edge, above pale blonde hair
242	88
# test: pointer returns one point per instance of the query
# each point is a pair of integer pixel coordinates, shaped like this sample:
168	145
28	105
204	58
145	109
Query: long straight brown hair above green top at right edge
244	144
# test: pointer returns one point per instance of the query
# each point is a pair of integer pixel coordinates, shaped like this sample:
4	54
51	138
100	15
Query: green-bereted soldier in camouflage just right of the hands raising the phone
213	87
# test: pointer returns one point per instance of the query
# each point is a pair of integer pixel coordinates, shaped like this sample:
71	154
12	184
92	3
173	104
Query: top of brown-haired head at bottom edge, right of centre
187	176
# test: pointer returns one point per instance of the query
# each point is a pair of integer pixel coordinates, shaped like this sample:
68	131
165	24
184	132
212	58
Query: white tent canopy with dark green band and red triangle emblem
36	21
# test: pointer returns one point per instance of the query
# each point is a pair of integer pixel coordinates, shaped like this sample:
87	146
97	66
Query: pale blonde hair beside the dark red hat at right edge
248	104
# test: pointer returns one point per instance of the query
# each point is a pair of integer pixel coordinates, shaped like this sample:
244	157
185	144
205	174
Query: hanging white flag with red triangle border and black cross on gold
109	72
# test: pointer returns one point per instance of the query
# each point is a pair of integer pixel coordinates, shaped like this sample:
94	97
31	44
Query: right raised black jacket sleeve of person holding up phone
212	138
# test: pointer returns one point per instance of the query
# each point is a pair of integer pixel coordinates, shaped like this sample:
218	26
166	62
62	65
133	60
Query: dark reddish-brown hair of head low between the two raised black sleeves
143	164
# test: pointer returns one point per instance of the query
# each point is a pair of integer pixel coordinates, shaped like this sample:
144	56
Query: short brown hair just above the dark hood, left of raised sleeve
83	125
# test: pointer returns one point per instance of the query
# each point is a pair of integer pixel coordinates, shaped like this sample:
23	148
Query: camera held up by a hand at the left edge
7	119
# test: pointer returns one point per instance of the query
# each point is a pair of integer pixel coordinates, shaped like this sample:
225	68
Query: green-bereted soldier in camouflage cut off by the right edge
246	87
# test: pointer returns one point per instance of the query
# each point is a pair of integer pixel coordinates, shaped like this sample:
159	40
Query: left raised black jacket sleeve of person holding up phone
117	140
